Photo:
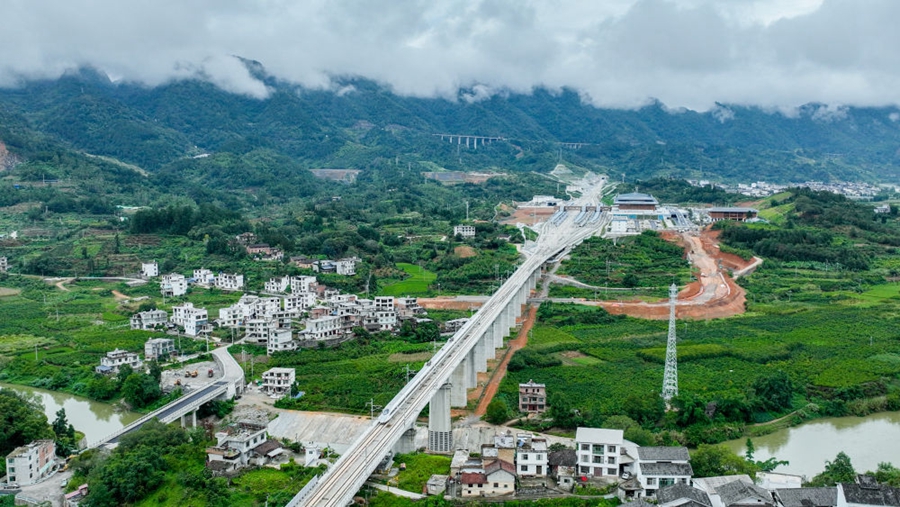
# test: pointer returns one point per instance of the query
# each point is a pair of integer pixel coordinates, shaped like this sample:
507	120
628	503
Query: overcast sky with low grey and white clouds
618	53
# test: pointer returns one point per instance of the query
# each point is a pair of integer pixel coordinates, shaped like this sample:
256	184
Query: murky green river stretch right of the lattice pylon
867	440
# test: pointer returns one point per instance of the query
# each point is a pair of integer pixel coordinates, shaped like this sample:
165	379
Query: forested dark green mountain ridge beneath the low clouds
364	125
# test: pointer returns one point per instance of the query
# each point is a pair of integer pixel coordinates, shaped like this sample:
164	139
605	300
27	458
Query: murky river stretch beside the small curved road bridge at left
96	420
